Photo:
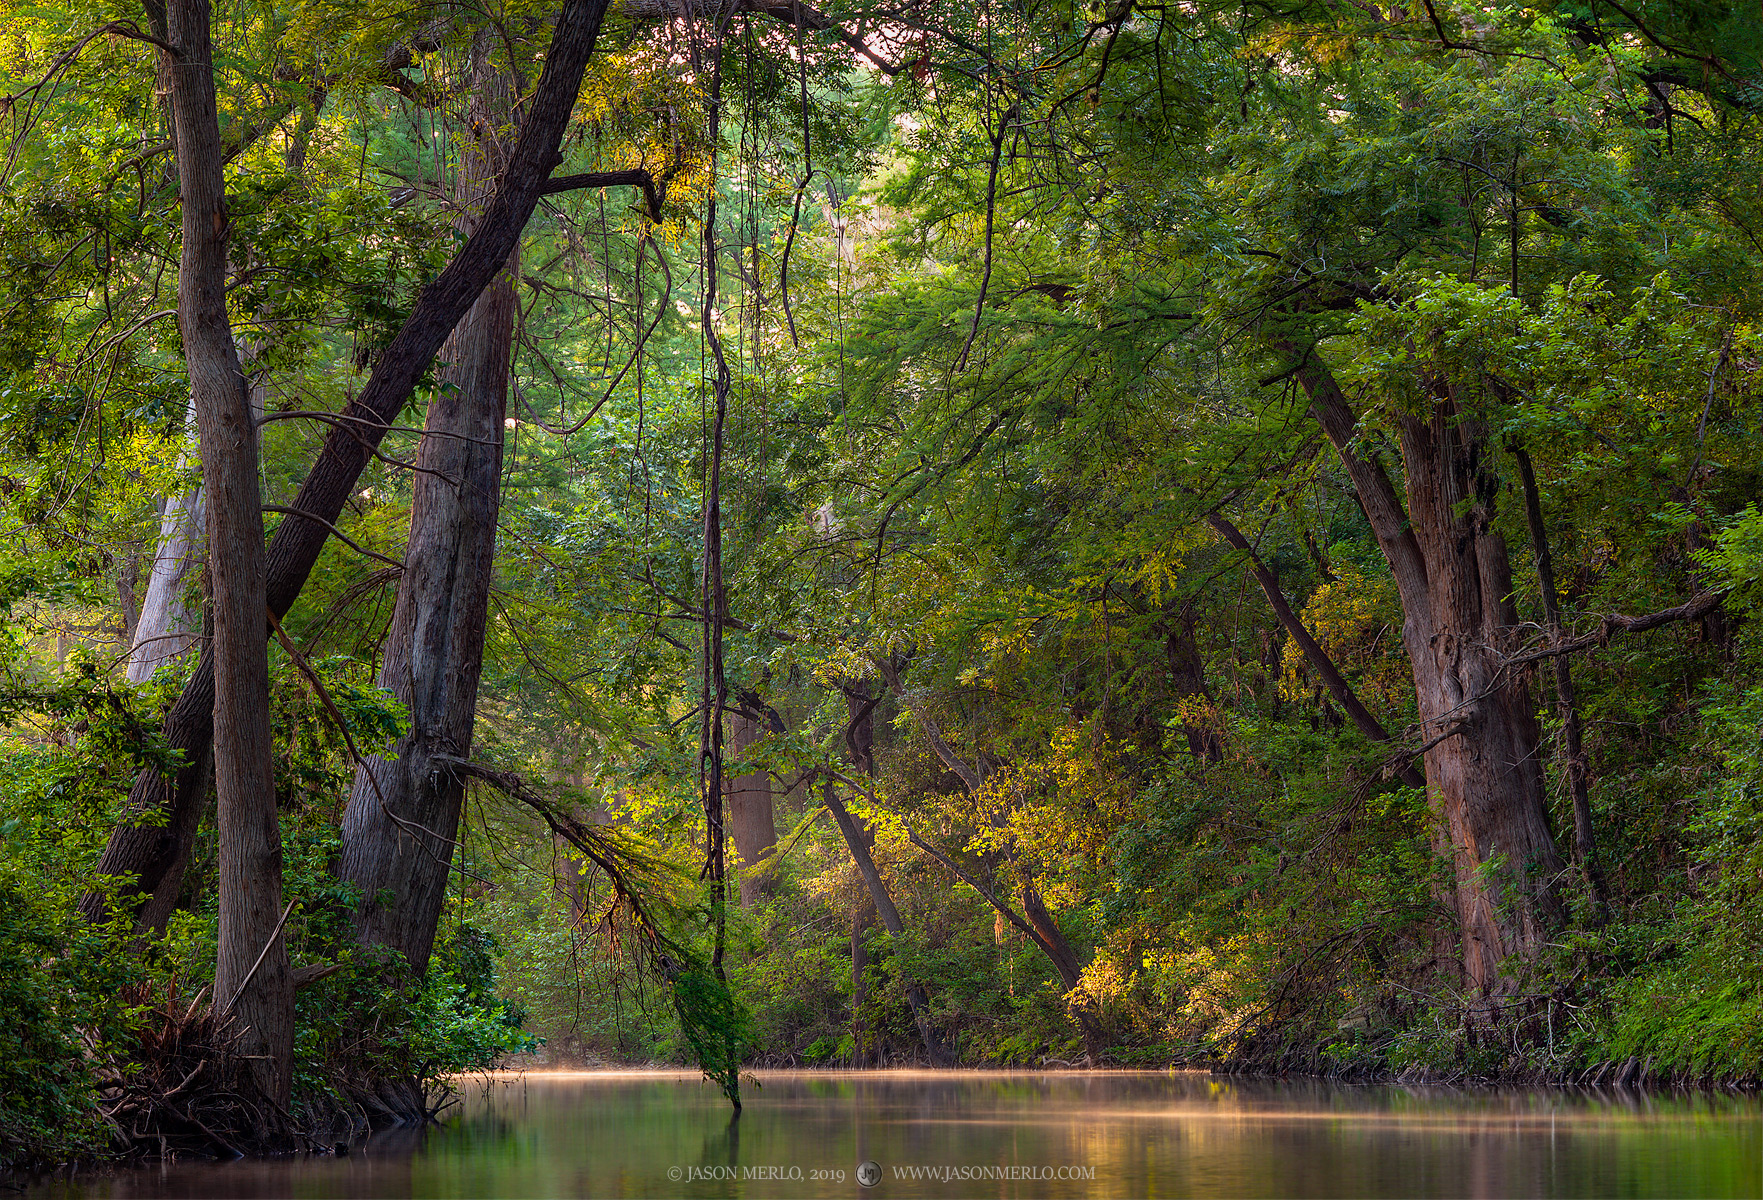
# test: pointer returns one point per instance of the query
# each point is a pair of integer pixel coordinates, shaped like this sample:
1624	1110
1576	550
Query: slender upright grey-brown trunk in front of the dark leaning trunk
251	970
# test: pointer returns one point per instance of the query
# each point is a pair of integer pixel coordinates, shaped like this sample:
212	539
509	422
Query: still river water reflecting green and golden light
1142	1134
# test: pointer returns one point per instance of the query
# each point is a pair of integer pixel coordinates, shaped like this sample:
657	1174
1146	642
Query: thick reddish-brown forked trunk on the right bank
1484	766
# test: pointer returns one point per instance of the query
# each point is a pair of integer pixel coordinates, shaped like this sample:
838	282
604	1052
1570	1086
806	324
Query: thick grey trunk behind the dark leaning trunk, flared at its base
403	819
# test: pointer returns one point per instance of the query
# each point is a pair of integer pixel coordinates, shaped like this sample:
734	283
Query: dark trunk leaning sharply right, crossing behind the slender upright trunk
145	845
